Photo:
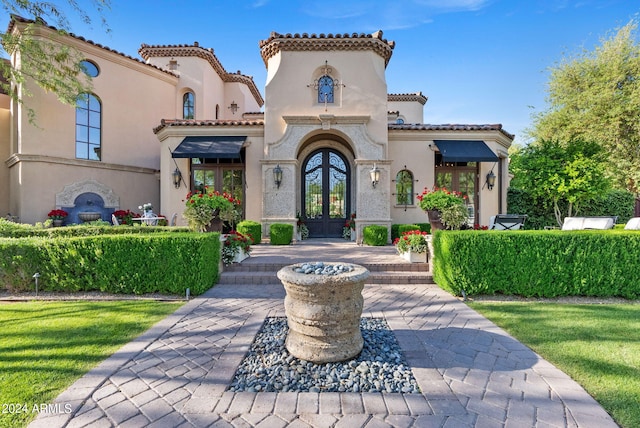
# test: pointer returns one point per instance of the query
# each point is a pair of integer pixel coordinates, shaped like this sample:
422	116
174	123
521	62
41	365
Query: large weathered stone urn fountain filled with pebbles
323	305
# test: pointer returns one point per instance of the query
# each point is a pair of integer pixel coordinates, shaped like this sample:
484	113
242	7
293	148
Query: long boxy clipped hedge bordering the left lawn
166	263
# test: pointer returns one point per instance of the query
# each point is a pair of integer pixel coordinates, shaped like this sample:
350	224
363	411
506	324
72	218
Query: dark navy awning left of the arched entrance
210	147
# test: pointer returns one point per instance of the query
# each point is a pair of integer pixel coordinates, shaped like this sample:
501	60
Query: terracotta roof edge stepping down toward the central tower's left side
149	51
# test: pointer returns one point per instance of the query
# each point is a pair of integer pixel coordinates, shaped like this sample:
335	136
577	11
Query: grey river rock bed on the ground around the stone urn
380	367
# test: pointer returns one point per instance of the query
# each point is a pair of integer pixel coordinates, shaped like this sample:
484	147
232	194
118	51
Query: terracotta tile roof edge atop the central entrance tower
326	42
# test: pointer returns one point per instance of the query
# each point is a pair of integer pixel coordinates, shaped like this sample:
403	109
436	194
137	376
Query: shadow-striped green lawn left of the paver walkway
46	346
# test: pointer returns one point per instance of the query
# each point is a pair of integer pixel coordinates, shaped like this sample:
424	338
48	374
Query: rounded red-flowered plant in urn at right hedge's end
444	207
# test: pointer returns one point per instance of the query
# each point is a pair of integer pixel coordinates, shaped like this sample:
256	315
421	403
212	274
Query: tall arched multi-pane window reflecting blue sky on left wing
88	127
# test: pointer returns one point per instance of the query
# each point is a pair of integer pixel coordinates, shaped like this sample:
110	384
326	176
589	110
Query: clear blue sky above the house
478	61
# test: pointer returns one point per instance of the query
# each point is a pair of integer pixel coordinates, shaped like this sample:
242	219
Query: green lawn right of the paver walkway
598	345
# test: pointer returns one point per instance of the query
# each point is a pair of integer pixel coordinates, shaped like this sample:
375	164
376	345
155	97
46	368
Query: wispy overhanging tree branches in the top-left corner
53	66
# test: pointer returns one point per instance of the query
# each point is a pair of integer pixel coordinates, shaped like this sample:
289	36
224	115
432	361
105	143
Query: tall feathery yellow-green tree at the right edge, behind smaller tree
595	96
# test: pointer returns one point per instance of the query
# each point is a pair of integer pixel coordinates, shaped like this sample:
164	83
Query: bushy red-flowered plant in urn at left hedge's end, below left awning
201	208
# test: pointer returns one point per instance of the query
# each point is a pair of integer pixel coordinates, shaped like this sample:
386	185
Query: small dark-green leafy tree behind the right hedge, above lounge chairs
555	173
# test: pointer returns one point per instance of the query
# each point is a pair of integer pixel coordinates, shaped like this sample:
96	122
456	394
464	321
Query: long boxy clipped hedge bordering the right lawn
538	263
